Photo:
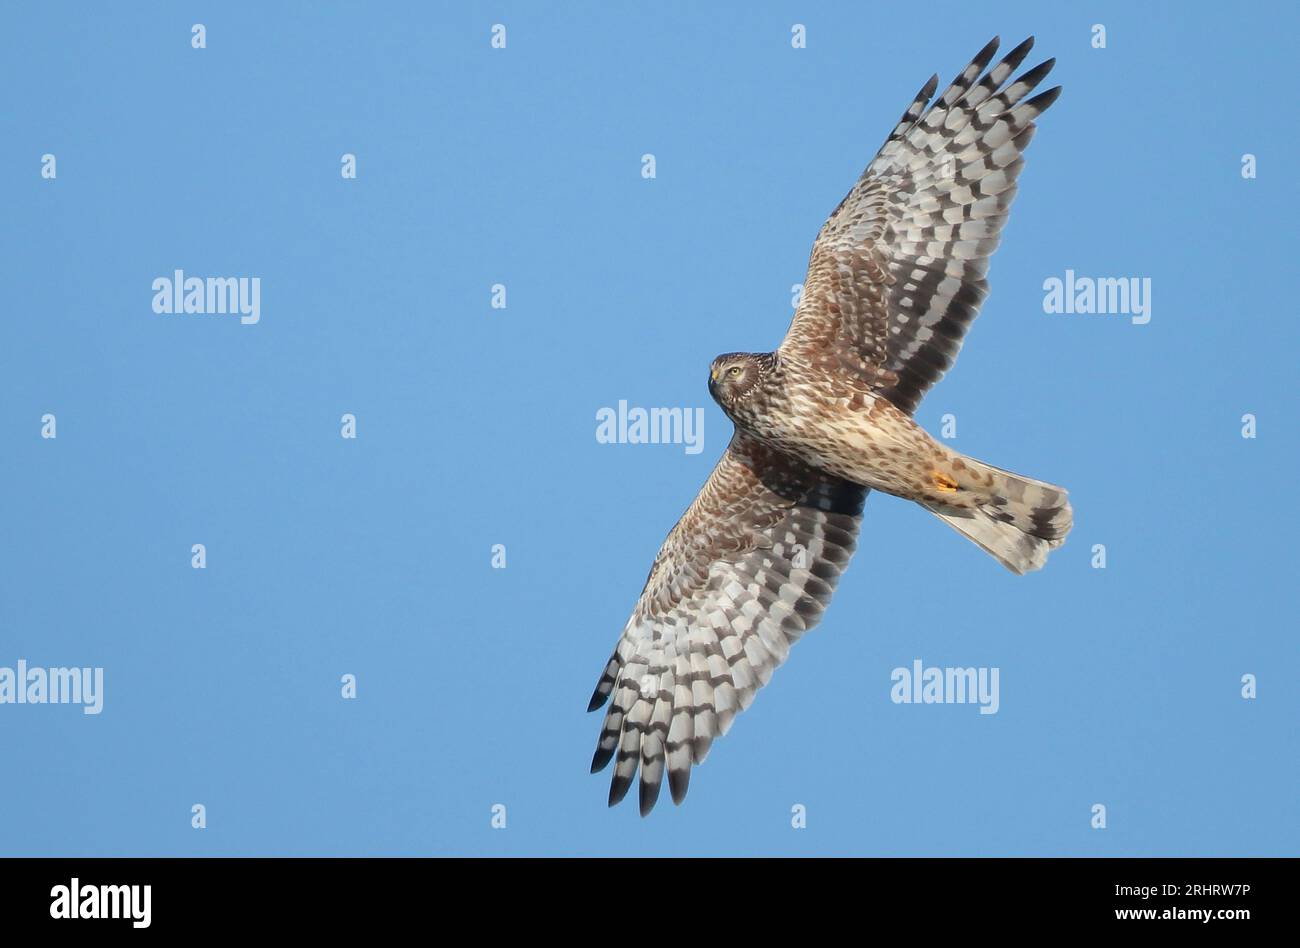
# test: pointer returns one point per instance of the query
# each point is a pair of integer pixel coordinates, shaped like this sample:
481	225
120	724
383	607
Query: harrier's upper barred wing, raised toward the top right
898	272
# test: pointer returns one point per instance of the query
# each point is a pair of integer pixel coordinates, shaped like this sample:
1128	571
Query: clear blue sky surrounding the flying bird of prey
476	427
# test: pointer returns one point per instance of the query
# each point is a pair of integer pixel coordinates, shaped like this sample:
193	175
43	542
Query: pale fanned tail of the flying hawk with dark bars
1019	522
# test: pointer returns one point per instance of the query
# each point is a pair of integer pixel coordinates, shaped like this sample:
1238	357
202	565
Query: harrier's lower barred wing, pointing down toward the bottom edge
748	570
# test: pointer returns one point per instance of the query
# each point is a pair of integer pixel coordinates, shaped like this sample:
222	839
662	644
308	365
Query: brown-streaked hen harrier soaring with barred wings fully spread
896	278
